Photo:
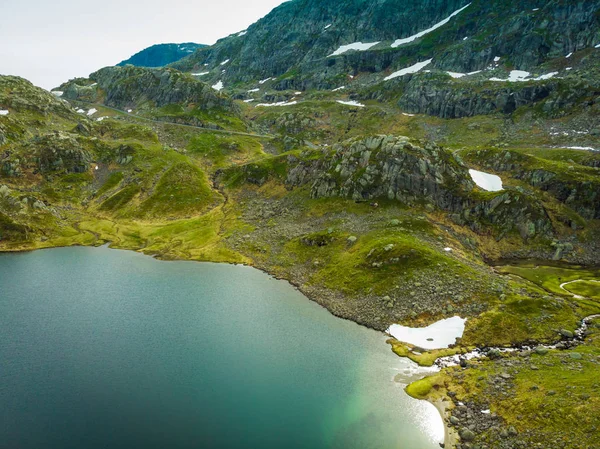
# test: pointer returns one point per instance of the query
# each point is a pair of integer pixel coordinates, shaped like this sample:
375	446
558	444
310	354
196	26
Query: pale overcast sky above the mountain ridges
51	41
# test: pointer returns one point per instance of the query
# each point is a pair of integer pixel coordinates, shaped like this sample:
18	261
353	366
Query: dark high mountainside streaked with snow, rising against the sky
385	50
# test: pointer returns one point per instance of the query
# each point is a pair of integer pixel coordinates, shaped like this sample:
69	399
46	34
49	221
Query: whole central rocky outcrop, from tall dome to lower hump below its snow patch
394	168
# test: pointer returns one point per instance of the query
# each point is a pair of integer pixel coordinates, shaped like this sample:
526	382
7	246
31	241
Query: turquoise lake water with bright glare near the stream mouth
111	349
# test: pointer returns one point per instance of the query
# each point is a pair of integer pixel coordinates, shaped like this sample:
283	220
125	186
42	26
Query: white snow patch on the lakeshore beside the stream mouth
436	336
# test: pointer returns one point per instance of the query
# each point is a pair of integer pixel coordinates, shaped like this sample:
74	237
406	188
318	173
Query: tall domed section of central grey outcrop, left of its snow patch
390	167
